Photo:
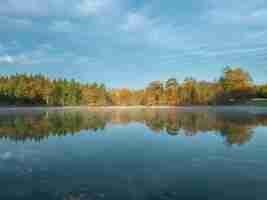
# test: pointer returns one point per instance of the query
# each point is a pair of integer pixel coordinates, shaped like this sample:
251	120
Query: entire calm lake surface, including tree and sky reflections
125	154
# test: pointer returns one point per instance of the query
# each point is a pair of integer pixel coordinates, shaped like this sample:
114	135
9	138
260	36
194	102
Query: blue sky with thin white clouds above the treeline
129	43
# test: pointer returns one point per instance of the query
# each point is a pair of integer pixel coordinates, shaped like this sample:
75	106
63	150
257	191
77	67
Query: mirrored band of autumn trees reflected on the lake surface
236	126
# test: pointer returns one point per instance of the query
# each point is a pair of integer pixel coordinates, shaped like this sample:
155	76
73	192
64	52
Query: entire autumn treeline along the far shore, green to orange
234	86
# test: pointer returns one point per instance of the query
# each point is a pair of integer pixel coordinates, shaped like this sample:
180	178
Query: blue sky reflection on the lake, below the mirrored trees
134	160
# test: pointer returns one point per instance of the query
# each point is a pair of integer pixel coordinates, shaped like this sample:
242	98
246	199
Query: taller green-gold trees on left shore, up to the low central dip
39	90
